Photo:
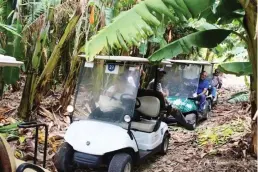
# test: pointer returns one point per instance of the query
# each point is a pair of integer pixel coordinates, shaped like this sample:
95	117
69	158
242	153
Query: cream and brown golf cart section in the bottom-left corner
8	163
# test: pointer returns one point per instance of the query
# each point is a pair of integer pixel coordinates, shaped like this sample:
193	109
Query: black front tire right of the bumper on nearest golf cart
120	162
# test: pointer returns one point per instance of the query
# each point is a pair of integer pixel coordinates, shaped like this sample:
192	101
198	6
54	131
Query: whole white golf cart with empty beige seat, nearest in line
114	124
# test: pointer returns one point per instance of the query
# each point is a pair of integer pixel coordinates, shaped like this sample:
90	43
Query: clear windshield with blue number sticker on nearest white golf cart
106	92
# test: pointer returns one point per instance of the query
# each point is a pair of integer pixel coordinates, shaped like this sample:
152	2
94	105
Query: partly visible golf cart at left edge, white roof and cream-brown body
8	163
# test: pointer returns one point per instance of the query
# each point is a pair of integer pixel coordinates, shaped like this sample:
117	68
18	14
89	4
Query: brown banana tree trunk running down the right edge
250	24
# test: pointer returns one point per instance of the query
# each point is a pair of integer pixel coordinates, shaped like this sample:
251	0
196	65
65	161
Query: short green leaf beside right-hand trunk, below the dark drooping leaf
236	68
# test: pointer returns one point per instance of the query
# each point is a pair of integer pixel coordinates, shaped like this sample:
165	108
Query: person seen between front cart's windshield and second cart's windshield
160	88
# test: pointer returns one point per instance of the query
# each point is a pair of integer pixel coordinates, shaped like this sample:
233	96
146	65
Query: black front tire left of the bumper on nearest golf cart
63	158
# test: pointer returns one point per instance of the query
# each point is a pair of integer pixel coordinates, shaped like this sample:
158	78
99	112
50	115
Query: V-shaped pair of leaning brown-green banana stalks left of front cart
35	85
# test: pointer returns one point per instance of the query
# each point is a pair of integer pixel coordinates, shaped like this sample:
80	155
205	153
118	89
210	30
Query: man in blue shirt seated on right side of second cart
202	89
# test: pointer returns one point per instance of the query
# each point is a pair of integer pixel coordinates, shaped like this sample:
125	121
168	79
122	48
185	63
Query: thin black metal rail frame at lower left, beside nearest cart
37	125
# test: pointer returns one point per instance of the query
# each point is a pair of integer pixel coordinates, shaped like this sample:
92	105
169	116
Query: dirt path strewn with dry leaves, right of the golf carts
186	154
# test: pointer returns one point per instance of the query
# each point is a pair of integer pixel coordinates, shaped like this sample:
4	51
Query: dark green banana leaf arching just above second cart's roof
202	39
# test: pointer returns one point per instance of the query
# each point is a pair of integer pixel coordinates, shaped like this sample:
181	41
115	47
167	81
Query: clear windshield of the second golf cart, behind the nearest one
182	79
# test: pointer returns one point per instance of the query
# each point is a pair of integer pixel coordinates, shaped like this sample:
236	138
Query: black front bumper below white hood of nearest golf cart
87	160
